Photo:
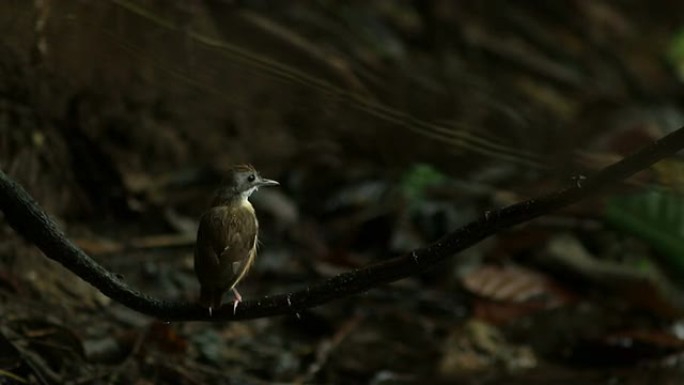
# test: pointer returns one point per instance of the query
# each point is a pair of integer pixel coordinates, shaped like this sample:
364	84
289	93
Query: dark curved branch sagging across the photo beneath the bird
30	221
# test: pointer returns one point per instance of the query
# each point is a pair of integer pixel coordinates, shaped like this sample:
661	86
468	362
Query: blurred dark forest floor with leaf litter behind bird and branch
388	124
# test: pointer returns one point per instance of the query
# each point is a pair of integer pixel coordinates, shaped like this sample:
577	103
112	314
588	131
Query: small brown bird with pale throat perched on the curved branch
227	237
